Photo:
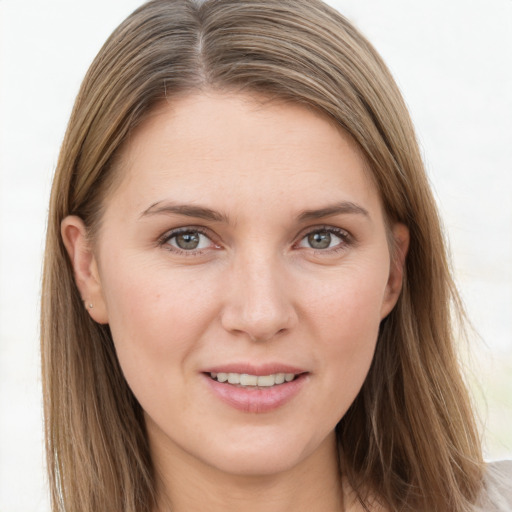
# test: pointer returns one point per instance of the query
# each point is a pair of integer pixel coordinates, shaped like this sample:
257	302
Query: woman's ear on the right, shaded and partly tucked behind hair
400	241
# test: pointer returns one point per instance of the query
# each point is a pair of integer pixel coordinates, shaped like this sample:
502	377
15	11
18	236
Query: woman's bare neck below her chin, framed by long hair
186	484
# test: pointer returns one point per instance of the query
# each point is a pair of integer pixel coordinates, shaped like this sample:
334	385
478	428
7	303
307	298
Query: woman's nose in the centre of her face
259	303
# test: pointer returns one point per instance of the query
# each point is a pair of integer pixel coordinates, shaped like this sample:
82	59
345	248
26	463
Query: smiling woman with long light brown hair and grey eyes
246	298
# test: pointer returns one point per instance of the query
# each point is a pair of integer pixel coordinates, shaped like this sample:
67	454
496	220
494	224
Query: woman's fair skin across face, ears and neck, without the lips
255	290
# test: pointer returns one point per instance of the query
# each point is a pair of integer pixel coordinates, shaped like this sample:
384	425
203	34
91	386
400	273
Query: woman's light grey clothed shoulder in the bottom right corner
497	492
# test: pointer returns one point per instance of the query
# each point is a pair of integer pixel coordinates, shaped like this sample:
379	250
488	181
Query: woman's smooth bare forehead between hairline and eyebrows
223	147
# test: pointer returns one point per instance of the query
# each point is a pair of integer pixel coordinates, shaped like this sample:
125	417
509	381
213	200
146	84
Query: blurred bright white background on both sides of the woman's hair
453	62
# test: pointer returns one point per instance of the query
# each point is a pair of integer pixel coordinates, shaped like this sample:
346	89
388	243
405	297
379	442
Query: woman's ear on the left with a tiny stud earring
87	278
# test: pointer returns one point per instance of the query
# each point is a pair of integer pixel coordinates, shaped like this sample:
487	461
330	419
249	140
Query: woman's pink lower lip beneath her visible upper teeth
256	400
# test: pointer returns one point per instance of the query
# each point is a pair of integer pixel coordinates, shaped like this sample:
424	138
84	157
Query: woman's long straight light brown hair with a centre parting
409	439
